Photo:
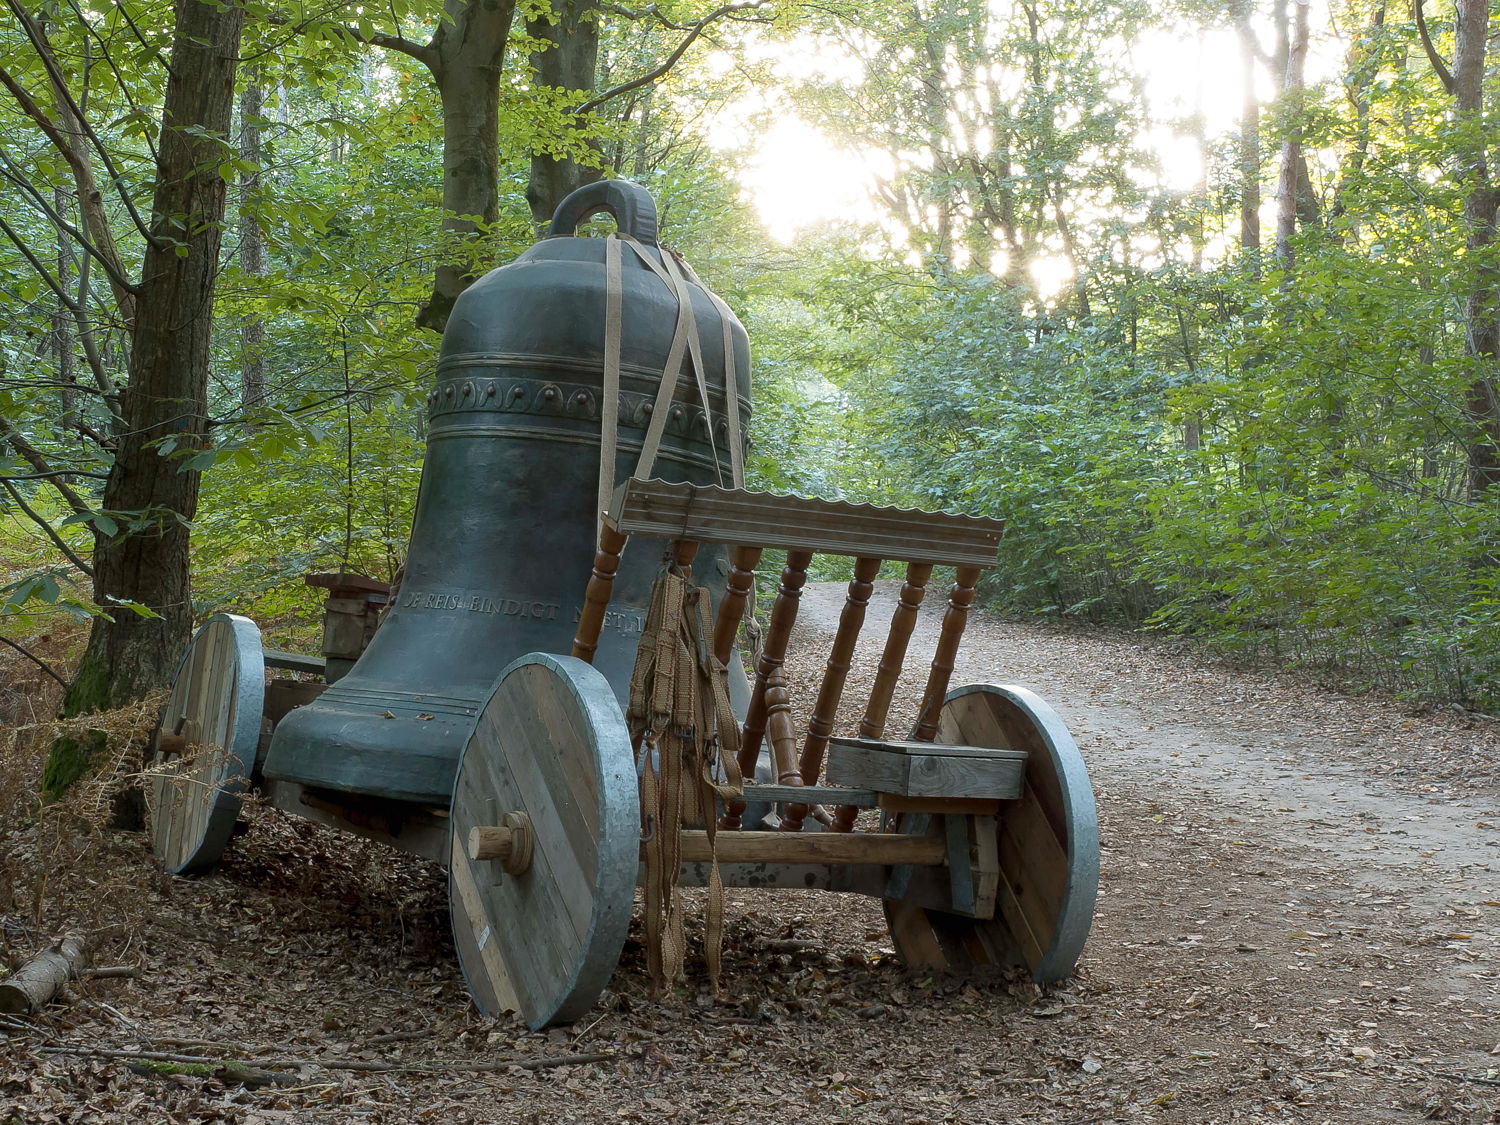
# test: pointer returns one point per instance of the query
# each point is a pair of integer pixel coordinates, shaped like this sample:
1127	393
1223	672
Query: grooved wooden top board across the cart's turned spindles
766	520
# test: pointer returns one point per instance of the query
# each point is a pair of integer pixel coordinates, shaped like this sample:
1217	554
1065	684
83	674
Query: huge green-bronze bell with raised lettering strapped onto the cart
503	538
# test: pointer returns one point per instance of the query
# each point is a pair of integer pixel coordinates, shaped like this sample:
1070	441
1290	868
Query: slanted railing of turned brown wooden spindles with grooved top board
751	523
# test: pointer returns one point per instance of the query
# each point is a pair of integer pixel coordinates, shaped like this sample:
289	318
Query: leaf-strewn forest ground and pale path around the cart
1298	922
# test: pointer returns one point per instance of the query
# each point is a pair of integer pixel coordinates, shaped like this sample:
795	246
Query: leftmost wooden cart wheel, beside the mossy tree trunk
205	748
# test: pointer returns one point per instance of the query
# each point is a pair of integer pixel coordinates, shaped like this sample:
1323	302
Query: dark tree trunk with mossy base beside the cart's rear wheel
167	394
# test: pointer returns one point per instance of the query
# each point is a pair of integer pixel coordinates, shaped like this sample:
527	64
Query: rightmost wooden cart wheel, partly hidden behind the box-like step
1048	842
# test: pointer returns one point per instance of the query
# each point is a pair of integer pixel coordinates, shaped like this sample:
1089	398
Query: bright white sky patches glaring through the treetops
799	178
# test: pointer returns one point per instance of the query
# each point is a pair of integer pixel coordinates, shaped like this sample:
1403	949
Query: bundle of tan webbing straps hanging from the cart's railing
688	740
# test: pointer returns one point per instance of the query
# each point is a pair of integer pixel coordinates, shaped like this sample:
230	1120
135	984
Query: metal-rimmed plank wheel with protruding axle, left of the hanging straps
542	901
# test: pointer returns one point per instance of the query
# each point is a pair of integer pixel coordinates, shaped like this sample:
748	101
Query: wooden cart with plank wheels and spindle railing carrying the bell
980	841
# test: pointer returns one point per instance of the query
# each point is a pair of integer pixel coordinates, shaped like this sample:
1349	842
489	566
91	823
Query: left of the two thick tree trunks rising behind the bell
466	58
